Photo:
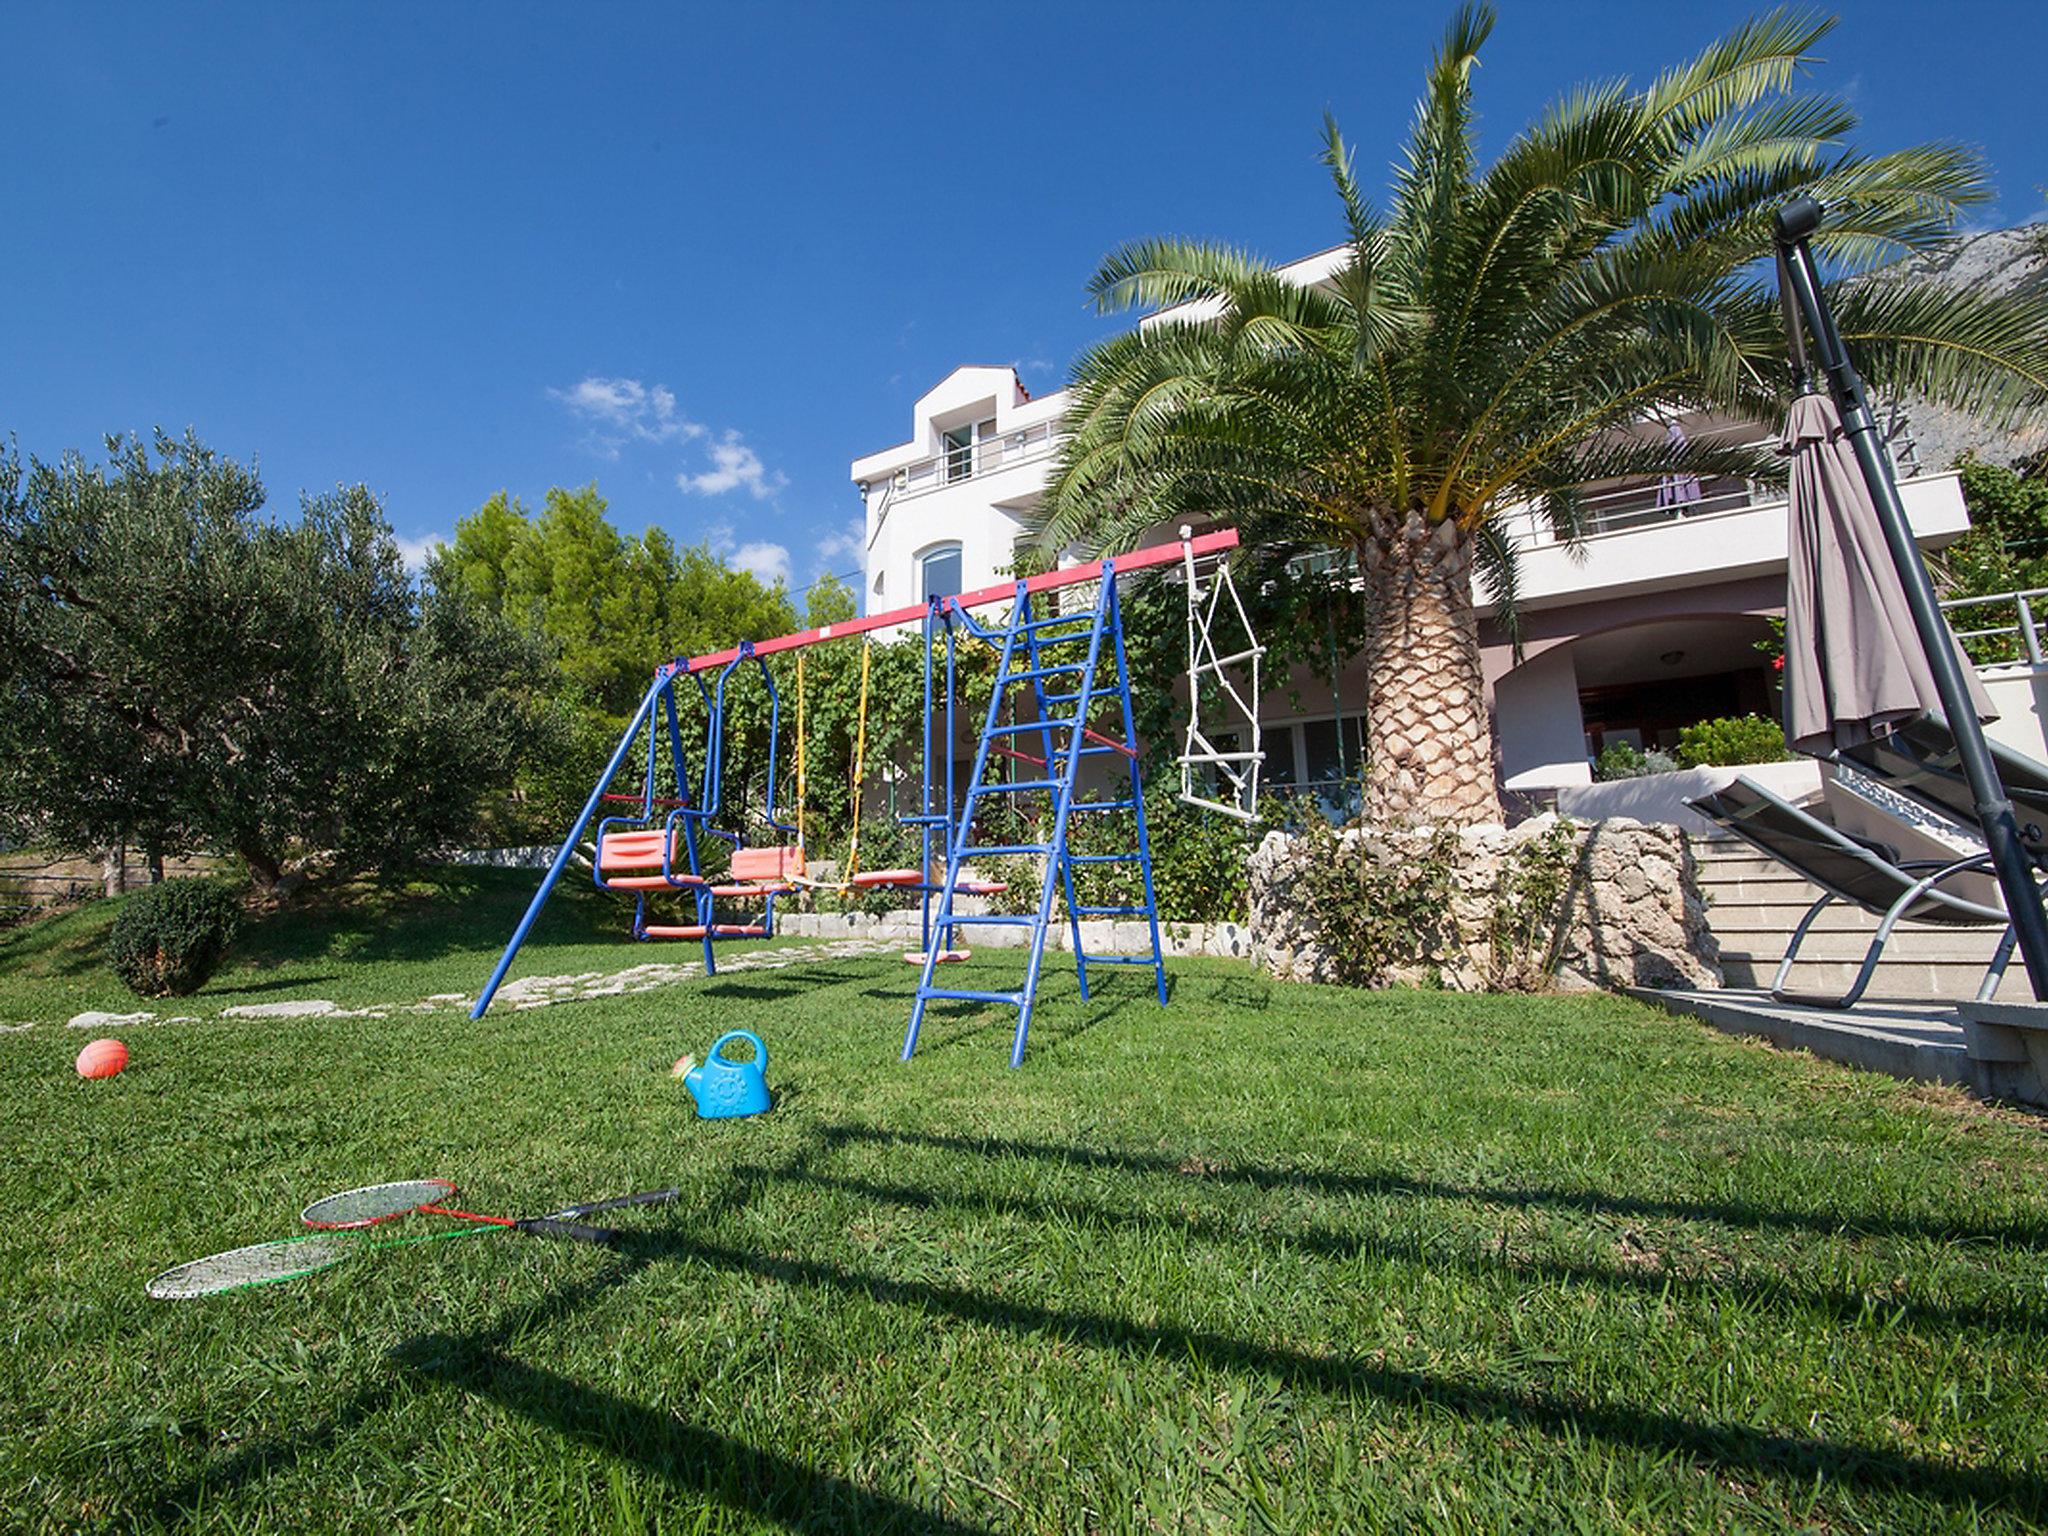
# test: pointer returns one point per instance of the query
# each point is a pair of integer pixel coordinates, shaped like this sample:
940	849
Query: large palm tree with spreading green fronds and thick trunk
1490	341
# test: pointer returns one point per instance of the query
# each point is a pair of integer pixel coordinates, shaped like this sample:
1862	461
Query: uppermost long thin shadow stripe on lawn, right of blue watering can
1330	1183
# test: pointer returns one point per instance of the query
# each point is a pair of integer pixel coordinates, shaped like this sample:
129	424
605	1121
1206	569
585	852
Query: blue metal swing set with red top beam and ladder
1062	665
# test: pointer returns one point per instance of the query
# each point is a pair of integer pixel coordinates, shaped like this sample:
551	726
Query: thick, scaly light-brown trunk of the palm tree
1428	738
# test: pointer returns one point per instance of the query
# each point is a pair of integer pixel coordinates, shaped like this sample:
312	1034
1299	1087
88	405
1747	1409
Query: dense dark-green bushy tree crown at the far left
183	673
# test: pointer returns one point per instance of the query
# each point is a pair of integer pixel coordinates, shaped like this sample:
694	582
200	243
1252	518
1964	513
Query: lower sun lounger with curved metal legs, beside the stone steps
1859	871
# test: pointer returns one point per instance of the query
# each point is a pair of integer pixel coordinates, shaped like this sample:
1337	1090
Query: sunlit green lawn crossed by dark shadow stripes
1277	1258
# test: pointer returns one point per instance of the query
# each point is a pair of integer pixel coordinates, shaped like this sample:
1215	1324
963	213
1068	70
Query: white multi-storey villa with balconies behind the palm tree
1650	628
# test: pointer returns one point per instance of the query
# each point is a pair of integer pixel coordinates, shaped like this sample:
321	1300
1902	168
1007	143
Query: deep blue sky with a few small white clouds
710	257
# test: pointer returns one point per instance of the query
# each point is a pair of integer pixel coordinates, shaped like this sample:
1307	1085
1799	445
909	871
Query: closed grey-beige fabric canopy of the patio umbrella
1854	665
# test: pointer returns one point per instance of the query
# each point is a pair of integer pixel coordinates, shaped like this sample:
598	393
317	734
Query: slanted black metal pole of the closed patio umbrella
1795	224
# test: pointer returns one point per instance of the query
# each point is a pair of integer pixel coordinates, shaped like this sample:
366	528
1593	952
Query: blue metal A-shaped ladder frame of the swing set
1037	650
